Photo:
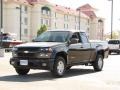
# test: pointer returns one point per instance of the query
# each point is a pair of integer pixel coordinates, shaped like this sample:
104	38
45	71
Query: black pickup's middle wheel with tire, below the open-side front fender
59	67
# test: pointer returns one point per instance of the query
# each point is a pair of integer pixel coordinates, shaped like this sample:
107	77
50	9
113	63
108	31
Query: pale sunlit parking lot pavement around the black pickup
77	78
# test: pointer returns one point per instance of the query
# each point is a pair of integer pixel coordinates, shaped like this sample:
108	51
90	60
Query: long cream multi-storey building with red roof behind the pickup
25	17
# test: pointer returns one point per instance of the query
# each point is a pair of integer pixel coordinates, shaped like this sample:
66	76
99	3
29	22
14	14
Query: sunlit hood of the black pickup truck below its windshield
39	44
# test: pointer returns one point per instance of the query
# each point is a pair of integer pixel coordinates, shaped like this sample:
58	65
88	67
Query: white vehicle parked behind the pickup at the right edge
114	46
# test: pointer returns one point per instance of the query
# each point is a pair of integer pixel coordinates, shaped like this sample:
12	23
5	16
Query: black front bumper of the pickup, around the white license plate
46	64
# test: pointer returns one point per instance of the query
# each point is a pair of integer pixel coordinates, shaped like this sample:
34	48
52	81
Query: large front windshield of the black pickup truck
53	36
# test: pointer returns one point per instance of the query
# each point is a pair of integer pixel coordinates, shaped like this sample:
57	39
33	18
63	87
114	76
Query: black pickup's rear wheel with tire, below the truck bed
98	63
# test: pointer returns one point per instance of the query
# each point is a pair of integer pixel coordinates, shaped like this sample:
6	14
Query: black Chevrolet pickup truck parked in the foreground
57	51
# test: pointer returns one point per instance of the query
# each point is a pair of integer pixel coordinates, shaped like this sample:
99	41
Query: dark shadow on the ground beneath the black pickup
42	76
